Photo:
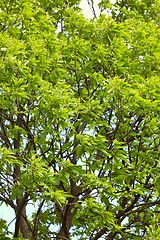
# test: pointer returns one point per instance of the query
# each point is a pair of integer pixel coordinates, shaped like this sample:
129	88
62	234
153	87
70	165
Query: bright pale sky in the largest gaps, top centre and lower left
6	212
